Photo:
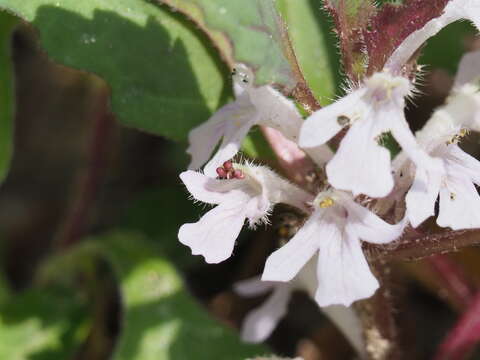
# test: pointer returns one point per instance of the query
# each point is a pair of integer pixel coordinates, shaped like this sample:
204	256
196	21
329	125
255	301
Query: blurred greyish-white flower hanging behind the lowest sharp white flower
261	321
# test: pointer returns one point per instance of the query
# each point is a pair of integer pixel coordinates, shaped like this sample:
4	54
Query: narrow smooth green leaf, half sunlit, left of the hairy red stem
314	45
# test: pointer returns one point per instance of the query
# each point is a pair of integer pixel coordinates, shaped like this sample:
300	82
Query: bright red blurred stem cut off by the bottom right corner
461	340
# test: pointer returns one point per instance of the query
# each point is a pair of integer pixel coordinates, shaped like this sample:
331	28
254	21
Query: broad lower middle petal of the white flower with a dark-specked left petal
361	165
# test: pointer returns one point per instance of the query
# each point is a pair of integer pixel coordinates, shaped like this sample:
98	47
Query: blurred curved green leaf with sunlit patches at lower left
161	321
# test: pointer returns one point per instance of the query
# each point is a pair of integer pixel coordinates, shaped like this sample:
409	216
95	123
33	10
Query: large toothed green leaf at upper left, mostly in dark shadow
164	76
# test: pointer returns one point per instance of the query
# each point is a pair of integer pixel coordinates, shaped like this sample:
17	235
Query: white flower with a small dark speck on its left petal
361	164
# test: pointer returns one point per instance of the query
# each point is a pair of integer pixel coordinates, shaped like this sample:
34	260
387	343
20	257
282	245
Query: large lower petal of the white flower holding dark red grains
214	235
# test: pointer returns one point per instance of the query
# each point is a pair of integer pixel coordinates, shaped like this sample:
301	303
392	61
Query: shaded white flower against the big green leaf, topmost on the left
231	123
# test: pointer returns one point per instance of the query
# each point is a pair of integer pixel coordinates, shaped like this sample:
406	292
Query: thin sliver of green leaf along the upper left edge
7	94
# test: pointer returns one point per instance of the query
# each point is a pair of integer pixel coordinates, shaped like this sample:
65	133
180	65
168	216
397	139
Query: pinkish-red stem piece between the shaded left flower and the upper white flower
296	165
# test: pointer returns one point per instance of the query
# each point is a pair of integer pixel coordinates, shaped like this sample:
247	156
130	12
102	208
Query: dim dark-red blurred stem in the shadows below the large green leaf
89	180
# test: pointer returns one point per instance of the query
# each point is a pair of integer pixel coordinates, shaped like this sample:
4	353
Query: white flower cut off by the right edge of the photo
459	199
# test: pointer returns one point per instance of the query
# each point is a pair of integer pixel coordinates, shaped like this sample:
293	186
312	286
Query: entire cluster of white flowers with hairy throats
360	177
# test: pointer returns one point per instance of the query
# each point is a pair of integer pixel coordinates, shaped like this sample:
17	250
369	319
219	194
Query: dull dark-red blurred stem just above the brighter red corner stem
453	279
